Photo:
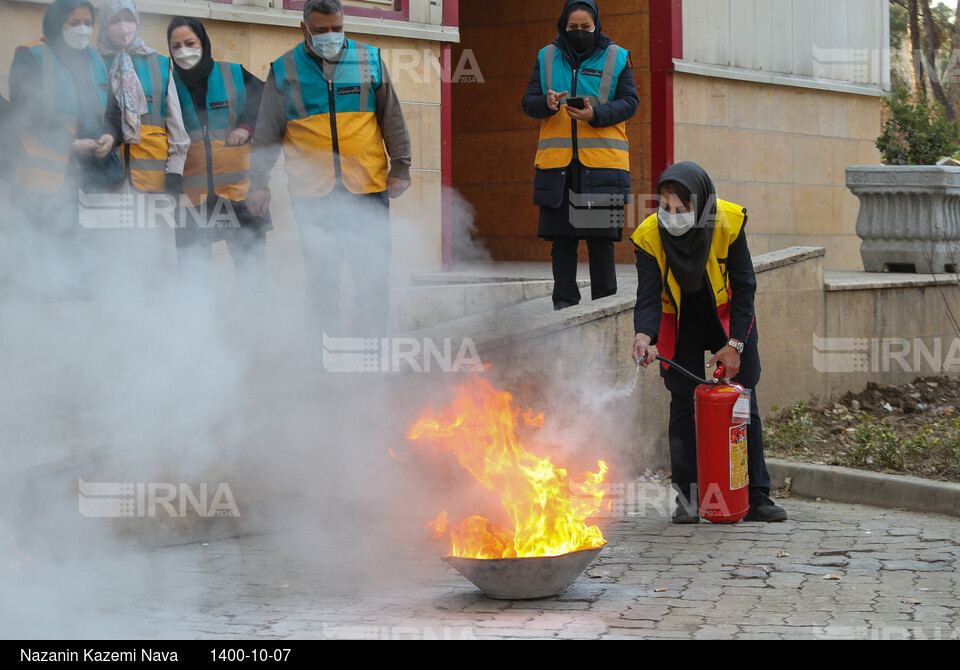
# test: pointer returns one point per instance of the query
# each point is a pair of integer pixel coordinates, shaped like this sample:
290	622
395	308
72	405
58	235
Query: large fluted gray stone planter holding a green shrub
909	217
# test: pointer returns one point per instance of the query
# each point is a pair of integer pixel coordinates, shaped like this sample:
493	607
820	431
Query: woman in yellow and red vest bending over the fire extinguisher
696	293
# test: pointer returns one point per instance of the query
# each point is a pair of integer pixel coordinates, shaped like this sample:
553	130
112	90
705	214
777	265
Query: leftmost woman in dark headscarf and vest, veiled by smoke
59	99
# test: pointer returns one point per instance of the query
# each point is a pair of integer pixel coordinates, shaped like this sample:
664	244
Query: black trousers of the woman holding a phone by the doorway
603	269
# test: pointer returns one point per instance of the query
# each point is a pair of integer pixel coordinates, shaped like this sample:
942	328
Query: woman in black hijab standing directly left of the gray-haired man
219	102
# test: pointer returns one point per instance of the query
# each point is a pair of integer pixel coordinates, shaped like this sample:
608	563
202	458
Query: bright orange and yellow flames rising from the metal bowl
548	511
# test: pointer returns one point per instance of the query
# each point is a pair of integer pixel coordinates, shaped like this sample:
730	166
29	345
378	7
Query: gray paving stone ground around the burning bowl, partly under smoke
832	571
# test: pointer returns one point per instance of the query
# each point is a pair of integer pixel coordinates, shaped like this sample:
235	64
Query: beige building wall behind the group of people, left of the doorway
413	64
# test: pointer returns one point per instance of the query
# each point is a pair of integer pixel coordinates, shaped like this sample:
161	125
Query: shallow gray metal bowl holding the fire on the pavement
524	578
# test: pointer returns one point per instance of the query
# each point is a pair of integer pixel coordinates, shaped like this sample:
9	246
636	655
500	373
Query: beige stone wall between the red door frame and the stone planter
781	152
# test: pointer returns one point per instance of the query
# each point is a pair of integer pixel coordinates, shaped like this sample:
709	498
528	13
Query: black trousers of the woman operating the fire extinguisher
699	332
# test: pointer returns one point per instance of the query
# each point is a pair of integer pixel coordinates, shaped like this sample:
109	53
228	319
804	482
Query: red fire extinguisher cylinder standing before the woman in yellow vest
722	483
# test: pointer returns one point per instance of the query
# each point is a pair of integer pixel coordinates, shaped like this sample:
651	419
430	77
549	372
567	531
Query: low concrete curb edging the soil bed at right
839	484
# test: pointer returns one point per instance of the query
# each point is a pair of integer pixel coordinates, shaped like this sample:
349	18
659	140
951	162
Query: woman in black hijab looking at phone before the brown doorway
583	91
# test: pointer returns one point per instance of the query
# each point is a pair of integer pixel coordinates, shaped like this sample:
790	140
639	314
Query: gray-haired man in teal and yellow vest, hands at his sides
330	104
